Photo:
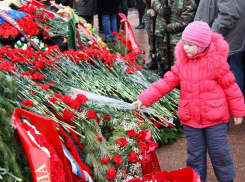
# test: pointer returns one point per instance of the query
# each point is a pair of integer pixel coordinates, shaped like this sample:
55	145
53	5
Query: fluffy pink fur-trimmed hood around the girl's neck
215	54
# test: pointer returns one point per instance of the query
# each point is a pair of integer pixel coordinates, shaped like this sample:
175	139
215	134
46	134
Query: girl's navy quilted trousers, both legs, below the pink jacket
214	140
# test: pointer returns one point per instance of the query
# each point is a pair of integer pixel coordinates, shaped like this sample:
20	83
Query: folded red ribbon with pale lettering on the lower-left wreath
39	160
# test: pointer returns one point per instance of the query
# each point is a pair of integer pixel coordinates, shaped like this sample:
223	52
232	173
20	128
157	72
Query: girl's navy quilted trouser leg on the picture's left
196	150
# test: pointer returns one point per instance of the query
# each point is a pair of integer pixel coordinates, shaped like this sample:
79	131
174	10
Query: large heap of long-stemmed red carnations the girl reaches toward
107	142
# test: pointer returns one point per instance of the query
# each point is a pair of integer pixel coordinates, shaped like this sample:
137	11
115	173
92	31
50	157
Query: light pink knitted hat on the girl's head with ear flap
199	33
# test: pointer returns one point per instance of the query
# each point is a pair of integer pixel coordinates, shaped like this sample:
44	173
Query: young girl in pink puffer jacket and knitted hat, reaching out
208	94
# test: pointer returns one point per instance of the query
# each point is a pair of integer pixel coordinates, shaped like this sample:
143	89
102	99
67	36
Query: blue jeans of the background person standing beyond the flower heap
109	26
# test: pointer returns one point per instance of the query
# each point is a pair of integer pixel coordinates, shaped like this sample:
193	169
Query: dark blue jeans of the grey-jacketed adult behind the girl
235	62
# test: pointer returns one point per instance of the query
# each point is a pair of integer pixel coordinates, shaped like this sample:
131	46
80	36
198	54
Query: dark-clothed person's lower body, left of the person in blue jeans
86	9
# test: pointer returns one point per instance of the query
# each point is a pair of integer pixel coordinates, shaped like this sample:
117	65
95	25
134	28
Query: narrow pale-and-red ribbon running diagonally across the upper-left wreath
6	16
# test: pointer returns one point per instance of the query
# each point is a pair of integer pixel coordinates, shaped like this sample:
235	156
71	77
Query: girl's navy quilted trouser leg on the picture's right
219	152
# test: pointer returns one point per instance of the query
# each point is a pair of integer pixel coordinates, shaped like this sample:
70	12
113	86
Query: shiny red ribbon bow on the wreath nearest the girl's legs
149	162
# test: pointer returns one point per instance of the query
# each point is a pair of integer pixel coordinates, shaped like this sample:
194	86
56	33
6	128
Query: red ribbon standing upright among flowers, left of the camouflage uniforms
130	33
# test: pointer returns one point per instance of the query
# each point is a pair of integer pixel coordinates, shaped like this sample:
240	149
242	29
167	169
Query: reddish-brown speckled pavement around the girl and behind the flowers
173	156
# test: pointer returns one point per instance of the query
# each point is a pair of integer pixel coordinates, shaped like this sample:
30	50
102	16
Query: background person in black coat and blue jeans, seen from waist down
109	10
